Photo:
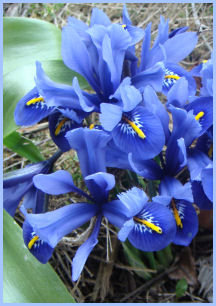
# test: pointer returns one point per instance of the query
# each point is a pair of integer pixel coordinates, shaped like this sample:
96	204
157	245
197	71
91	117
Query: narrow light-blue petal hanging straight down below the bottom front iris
84	251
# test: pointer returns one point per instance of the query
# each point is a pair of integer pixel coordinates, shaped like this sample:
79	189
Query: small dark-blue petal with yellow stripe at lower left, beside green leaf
40	249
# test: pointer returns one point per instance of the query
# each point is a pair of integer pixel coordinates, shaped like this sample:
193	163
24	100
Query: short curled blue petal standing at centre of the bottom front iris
101	183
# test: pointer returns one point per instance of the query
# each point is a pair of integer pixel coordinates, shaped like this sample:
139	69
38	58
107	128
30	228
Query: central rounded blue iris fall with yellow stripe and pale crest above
134	127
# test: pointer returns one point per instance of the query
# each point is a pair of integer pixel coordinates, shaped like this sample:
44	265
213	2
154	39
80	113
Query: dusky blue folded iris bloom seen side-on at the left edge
18	184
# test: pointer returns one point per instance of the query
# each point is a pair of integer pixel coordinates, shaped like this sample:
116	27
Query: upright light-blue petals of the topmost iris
99	54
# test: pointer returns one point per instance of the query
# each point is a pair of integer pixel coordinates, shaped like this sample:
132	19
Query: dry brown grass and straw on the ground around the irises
107	276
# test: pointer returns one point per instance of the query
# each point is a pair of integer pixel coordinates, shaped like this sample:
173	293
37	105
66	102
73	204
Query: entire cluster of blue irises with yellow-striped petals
133	128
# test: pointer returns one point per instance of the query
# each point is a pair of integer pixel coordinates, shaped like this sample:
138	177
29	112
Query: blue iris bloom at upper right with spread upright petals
168	49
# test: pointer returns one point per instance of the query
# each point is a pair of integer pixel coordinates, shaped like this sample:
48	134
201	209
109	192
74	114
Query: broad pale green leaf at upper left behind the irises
28	40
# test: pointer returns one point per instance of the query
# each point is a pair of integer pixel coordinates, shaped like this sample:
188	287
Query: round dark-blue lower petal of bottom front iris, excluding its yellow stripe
144	238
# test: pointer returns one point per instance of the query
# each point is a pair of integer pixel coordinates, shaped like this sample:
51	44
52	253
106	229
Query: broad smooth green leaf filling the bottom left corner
25	280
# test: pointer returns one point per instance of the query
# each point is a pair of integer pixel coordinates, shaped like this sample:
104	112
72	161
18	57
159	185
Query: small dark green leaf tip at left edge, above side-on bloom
23	147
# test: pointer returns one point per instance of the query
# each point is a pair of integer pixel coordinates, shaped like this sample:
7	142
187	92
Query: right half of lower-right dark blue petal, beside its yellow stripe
189	220
